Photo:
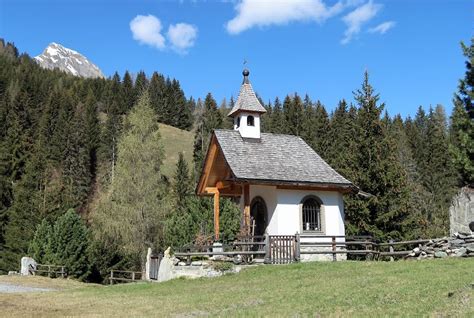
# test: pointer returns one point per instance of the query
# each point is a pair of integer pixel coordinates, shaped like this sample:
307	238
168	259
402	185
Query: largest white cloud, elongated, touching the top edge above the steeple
260	13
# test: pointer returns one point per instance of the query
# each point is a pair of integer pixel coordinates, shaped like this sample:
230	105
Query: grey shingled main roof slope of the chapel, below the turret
278	159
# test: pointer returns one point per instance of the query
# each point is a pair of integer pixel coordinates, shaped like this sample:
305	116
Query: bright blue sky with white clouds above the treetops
320	47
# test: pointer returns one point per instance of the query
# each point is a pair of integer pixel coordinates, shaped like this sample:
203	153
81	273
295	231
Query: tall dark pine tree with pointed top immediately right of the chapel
379	173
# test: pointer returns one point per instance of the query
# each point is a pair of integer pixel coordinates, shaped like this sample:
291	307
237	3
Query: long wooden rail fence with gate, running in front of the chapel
282	249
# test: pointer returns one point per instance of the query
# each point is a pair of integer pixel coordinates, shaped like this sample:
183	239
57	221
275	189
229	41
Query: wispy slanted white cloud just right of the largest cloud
355	19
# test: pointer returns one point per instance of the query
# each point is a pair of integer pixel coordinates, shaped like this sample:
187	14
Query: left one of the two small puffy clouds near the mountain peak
147	30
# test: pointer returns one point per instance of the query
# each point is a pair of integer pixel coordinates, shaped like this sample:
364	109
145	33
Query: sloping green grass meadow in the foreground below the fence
405	288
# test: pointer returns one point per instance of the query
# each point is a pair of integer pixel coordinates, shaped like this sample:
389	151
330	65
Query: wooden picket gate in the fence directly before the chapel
282	249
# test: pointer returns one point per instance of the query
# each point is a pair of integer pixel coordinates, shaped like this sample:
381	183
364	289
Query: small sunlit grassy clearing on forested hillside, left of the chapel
175	141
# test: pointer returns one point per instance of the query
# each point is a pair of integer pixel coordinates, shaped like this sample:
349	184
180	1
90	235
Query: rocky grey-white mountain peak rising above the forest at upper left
70	61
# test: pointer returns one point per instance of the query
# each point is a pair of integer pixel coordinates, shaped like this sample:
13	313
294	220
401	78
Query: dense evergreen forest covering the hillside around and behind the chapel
80	163
